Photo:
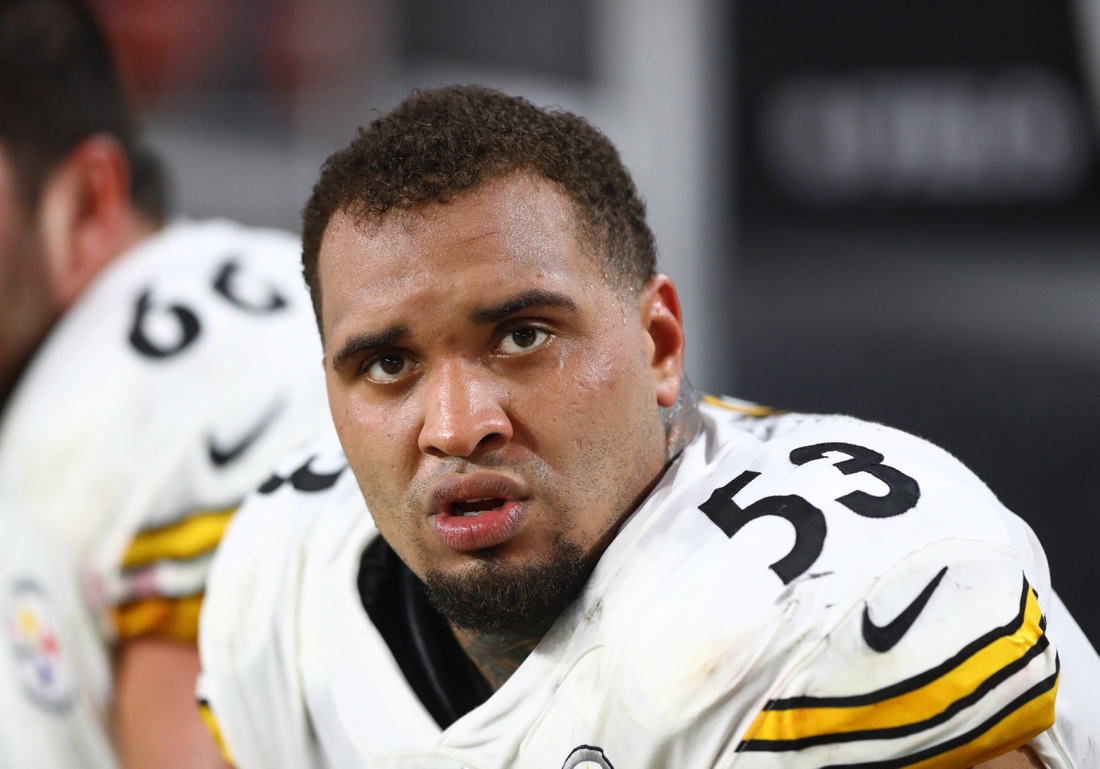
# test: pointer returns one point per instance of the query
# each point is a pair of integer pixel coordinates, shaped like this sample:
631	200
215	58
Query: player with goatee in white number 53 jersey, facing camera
533	546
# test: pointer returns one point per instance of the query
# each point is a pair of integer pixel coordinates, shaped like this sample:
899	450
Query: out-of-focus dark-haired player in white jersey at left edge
153	373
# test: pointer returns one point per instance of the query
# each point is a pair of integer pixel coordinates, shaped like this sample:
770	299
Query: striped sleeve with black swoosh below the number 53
944	663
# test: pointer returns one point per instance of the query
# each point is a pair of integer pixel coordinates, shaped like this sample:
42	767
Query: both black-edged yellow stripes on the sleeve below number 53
927	701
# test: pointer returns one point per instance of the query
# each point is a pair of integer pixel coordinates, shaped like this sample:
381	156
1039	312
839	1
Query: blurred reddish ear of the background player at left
84	214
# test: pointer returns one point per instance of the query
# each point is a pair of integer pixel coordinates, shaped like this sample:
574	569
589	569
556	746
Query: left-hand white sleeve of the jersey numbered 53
249	640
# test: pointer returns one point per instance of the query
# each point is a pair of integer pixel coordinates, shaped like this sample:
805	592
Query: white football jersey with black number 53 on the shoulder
798	591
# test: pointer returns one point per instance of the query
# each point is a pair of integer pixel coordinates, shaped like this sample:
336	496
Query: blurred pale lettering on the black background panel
943	137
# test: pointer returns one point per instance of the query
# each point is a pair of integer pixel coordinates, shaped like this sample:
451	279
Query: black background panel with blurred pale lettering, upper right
871	106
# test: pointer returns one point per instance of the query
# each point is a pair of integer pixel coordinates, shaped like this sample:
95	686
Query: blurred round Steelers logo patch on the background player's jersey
32	629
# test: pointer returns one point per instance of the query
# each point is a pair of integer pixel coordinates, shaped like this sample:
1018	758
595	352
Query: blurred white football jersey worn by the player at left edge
170	390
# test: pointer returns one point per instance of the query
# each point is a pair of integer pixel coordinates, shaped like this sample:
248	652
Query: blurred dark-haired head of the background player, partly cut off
74	178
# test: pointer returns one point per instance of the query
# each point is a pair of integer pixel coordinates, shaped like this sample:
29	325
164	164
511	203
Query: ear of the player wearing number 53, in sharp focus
665	337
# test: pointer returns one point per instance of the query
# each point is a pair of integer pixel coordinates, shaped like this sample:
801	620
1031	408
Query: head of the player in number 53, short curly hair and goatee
497	344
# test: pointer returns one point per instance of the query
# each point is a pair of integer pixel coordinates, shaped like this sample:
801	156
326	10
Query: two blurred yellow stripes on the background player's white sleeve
169	613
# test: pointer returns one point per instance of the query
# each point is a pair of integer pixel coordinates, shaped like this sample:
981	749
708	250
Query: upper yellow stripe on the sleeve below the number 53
910	708
